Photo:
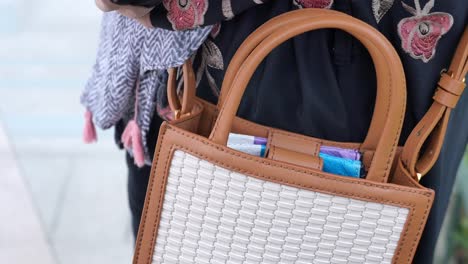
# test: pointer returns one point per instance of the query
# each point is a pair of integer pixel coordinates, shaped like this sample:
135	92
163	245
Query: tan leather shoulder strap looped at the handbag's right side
430	131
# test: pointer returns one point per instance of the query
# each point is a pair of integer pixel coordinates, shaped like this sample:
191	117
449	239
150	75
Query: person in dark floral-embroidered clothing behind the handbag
320	83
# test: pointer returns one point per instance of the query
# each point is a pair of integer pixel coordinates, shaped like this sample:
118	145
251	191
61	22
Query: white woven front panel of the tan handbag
213	215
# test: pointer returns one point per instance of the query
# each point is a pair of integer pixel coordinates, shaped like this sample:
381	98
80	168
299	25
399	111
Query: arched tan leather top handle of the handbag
390	81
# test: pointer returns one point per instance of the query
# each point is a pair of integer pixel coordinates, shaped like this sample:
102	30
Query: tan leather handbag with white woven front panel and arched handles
207	203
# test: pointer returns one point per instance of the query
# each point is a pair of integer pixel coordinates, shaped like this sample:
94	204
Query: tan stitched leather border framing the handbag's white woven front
417	200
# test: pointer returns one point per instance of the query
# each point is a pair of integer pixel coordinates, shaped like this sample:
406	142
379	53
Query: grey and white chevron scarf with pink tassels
128	80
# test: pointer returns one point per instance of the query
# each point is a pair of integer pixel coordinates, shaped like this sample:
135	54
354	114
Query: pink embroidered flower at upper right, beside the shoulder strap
420	33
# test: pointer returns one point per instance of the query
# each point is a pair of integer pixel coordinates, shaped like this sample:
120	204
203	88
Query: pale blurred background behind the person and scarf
63	202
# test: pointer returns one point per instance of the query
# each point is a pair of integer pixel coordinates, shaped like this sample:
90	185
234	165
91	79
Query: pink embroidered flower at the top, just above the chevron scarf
186	14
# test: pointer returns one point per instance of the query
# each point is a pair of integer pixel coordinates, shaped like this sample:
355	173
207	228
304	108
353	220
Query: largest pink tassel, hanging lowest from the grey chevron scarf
131	138
